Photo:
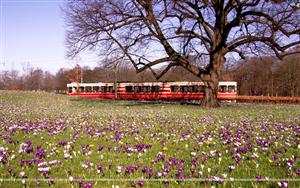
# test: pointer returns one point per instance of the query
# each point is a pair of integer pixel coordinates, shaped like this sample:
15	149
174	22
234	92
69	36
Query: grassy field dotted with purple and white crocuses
55	140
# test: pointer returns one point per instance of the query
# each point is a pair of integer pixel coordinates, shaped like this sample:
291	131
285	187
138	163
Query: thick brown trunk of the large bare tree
211	80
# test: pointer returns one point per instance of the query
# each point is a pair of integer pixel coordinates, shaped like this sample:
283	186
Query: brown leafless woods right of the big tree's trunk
267	76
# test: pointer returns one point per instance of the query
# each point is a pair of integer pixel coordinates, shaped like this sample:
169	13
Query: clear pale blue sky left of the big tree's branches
33	31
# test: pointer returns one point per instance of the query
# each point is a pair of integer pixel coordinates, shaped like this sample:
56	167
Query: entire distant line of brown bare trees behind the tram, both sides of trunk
256	76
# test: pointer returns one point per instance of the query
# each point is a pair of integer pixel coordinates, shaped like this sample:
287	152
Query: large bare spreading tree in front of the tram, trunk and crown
149	33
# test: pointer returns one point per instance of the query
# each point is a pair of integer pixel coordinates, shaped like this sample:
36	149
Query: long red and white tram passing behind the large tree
150	90
